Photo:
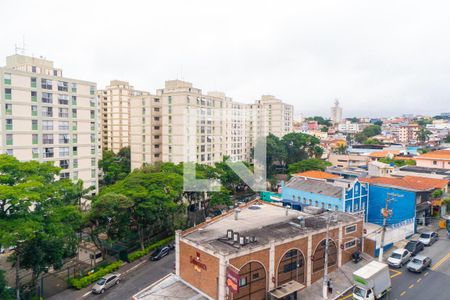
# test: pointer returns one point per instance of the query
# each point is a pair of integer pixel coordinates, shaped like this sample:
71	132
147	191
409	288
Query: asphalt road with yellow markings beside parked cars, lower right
431	284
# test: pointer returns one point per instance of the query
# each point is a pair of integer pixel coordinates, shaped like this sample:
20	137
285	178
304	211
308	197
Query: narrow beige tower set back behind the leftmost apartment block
115	114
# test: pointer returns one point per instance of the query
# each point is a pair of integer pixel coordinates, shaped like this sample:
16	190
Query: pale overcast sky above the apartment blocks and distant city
379	58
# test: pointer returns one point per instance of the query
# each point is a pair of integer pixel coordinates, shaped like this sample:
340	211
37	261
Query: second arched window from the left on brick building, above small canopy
291	267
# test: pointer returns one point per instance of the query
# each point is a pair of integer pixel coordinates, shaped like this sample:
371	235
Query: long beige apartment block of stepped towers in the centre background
181	123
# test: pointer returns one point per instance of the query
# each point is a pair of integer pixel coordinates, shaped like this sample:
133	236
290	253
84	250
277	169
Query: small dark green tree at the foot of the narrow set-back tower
114	166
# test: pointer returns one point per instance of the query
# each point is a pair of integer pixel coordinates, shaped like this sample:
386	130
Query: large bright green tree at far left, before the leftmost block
36	215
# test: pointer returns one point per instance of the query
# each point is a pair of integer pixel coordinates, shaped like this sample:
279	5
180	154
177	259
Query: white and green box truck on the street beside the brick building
372	281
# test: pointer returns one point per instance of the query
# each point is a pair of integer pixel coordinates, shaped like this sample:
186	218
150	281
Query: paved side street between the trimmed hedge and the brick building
130	283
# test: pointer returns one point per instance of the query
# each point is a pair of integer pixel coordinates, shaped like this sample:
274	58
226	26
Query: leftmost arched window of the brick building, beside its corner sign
252	282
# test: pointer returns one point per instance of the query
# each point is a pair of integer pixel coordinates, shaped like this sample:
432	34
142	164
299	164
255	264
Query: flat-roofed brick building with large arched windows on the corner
252	251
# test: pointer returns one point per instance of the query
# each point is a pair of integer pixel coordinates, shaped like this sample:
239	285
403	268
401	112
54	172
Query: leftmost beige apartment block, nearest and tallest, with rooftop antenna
47	117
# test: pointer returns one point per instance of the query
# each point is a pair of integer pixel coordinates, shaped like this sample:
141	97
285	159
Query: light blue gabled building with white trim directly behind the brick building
331	194
